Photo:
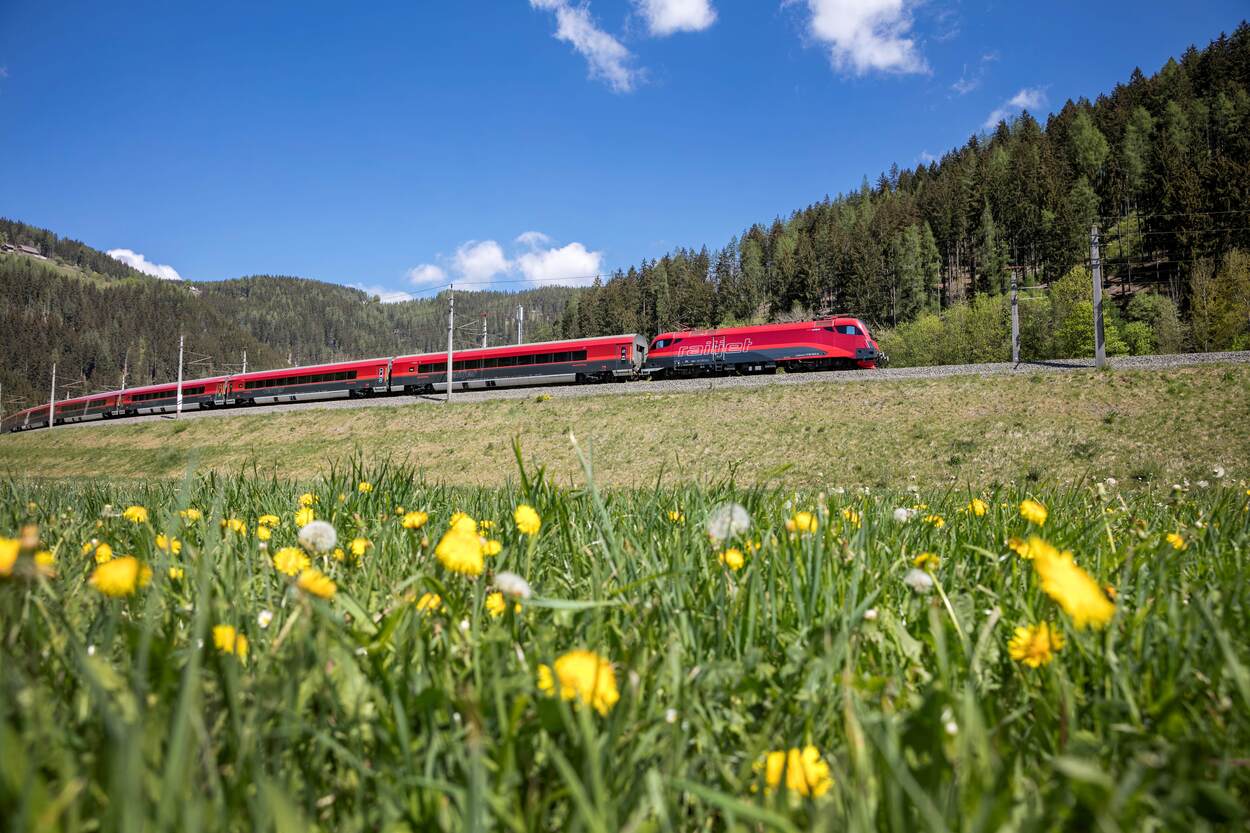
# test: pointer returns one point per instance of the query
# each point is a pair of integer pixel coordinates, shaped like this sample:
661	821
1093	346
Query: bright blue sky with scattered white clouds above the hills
401	146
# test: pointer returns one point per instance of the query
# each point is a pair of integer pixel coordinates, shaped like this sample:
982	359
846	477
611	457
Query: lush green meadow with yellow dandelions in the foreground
874	639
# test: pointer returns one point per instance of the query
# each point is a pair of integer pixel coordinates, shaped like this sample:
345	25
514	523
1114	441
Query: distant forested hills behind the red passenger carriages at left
99	321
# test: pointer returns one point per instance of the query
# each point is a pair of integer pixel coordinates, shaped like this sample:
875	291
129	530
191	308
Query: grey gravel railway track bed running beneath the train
687	386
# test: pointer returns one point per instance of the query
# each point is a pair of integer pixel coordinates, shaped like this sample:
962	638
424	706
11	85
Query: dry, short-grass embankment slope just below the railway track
1149	427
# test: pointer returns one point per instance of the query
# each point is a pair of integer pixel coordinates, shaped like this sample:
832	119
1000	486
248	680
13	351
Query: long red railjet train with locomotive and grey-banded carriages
808	346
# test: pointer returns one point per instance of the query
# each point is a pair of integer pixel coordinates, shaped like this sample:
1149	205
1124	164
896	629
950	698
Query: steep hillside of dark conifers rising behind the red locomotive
1162	163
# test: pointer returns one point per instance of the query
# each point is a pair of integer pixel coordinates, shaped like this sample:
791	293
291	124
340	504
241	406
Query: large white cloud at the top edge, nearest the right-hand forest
867	36
